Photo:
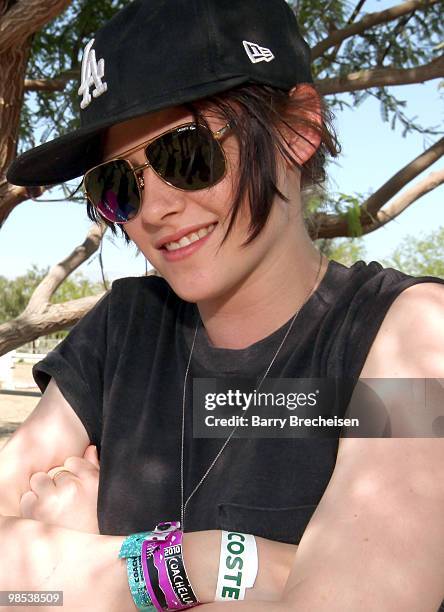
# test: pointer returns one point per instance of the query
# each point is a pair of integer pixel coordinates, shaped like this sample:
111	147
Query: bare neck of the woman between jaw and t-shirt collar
265	301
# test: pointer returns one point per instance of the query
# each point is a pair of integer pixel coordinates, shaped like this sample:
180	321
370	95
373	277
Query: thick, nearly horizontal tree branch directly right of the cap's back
381	77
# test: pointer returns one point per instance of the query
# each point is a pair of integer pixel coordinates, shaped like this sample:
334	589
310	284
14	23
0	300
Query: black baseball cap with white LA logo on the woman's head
155	54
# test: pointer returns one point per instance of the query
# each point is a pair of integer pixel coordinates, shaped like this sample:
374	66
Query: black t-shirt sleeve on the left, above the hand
77	366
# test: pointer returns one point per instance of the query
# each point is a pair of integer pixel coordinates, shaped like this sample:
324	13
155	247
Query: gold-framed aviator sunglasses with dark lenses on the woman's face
188	157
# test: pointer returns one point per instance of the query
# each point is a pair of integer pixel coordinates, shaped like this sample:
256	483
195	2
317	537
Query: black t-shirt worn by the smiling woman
122	368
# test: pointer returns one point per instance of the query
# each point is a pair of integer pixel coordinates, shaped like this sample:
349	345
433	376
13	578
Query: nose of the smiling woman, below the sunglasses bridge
159	200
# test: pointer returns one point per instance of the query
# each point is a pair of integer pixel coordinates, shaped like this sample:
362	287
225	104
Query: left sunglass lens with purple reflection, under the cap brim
112	189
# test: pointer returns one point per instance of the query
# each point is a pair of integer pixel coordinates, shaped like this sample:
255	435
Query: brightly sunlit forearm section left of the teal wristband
84	566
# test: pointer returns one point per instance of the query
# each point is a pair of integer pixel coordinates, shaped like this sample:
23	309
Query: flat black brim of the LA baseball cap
71	155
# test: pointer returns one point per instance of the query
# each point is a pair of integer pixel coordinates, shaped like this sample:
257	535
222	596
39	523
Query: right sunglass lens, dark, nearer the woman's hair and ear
188	158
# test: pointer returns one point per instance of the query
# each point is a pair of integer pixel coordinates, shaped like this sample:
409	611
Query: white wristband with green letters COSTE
238	565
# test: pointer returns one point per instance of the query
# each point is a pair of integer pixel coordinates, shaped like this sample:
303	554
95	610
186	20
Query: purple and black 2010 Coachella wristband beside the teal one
164	572
